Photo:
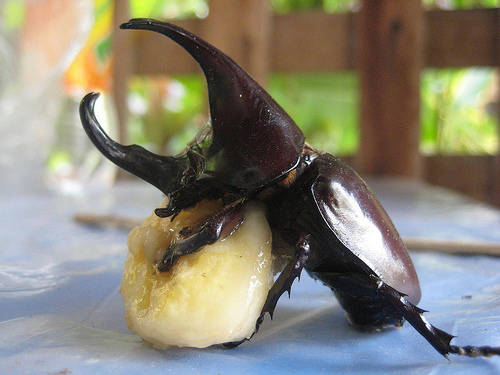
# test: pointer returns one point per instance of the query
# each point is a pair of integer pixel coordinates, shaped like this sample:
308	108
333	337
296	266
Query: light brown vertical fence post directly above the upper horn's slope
241	29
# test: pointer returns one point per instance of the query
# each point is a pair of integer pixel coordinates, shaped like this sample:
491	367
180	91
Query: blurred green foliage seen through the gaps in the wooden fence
456	115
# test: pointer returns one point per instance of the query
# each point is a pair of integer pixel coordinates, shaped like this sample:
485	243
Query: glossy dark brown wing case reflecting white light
352	212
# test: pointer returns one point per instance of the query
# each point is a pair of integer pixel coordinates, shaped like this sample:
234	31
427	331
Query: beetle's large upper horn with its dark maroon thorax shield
254	132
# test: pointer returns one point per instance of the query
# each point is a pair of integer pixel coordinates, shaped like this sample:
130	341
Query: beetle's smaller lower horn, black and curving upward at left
164	172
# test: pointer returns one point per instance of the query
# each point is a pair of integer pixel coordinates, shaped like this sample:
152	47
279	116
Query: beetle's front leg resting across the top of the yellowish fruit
219	225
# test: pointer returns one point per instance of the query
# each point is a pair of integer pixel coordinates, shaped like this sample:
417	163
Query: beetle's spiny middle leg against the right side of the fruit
282	284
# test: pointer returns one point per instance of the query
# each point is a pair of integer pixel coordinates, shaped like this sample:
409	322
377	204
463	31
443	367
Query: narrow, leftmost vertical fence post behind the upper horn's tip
122	65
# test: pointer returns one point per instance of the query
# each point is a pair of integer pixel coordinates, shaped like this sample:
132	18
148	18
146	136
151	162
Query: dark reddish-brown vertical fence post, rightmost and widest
389	62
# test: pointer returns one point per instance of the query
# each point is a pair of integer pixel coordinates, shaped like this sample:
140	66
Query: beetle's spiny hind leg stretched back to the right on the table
439	339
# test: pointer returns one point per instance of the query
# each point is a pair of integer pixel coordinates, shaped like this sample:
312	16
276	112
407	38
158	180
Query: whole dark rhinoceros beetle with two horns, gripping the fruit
317	206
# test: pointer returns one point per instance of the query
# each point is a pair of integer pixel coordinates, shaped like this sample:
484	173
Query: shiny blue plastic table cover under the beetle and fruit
61	311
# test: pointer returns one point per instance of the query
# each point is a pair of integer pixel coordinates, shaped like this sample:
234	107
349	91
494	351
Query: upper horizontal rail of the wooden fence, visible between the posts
317	41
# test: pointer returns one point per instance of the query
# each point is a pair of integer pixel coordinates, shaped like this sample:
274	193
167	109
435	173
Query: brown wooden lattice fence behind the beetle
388	42
